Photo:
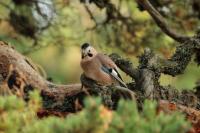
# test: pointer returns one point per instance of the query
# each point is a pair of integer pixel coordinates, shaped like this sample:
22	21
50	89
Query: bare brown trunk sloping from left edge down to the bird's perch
26	74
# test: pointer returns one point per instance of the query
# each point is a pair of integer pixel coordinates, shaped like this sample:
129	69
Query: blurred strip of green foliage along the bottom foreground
16	116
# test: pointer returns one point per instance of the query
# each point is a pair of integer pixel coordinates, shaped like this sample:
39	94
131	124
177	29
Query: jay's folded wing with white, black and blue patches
110	68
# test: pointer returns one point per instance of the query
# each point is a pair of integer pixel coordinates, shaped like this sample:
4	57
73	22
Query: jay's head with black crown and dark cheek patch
87	51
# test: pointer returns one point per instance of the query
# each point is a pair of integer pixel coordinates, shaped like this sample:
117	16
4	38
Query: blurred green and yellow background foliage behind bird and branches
50	32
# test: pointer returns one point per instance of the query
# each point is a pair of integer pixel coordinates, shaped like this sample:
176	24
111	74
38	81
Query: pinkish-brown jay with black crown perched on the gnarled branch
99	67
